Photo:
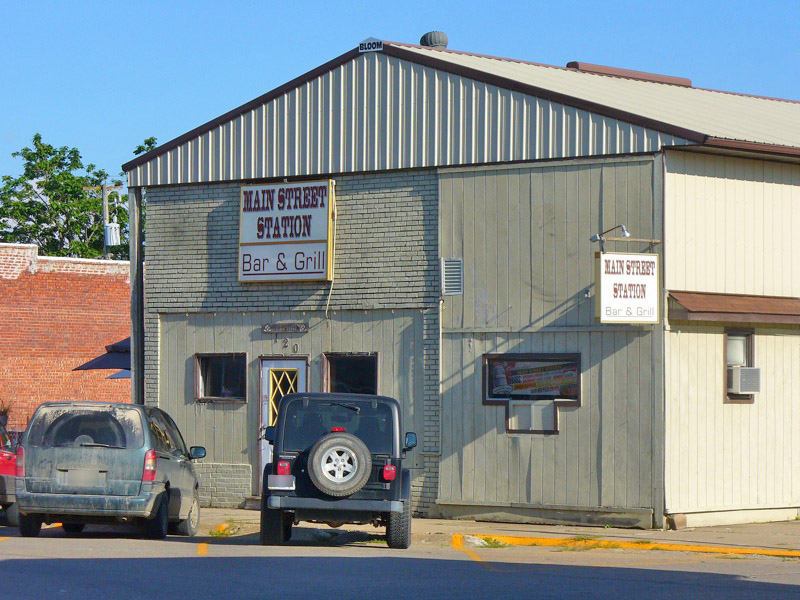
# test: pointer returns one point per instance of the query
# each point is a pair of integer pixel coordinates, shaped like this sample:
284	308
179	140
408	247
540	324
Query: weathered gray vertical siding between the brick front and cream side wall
524	236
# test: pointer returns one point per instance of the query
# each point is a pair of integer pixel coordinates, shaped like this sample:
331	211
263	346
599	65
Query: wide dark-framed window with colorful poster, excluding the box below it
534	379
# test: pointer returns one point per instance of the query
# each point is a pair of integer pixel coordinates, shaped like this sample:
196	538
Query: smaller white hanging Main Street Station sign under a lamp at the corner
627	288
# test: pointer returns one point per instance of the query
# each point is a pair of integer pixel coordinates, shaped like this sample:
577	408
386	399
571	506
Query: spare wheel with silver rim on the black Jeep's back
339	464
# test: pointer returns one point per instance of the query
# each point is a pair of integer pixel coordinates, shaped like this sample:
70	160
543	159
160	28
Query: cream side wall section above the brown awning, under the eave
730	225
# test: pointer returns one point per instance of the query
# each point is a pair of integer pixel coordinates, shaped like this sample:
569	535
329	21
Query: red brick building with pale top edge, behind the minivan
56	314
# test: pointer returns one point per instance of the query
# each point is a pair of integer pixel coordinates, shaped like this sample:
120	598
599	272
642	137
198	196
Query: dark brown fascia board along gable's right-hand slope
510	84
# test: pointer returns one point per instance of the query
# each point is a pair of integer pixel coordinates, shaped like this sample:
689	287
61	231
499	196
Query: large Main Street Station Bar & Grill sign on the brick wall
285	232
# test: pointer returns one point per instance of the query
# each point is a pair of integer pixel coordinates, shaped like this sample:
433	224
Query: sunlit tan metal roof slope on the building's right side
717	114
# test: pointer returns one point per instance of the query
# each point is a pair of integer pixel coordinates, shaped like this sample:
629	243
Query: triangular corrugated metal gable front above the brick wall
378	113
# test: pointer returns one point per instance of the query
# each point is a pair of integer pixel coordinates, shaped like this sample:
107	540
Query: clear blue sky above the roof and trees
102	76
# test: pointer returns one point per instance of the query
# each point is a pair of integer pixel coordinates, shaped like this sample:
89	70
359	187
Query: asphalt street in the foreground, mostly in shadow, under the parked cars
324	563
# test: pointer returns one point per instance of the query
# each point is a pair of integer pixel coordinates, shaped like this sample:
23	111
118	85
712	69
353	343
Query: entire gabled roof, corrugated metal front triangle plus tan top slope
597	114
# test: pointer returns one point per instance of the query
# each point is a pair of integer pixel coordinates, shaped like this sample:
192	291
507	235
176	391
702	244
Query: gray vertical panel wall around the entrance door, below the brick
229	431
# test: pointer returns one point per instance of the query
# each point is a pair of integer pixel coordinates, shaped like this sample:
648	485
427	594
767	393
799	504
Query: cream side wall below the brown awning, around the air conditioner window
723	456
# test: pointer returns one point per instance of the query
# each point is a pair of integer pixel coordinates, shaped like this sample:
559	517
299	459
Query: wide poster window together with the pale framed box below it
532	387
